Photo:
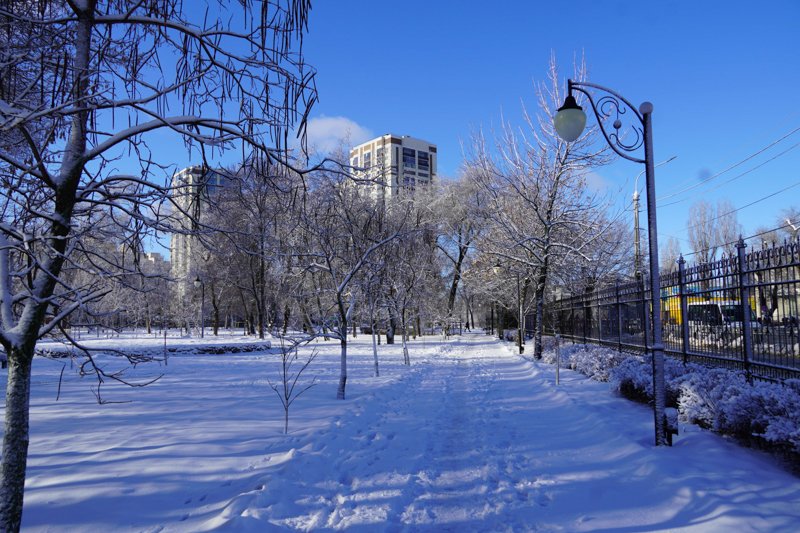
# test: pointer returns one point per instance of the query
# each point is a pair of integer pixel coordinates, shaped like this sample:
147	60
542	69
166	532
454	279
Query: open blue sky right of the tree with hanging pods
721	75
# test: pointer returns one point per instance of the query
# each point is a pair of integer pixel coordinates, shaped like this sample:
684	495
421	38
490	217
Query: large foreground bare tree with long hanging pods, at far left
84	86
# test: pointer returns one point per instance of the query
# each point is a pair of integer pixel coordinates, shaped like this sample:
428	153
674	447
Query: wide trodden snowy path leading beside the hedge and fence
478	439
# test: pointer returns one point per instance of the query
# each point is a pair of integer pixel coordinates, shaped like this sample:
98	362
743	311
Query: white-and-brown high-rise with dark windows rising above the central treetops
395	163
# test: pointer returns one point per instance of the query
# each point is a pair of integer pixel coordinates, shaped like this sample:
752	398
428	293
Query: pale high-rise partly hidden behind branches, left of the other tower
192	189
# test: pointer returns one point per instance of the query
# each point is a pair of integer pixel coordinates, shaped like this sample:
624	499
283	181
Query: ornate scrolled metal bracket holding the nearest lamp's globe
613	105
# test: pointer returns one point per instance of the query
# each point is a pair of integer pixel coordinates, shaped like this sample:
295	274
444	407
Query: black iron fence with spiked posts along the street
740	312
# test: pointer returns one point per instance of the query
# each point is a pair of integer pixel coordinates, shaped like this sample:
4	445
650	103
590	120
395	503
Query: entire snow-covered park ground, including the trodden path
471	437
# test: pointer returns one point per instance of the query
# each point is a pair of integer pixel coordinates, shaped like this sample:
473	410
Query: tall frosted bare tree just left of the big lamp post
536	196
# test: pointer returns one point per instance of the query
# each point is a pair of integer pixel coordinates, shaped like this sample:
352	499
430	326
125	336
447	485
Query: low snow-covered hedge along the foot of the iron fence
714	398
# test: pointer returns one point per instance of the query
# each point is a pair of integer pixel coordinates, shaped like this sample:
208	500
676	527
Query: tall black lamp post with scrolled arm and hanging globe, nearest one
569	122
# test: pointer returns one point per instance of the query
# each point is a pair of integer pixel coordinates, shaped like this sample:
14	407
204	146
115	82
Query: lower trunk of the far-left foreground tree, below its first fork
16	438
